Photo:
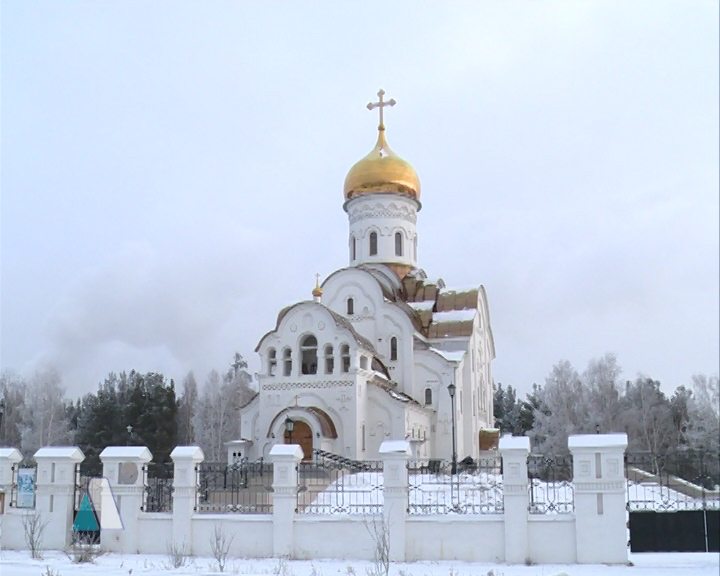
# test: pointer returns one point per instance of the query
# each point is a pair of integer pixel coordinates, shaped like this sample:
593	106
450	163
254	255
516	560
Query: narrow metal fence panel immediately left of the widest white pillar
550	488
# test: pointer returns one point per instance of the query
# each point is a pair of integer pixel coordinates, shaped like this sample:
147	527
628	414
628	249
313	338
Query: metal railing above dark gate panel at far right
683	480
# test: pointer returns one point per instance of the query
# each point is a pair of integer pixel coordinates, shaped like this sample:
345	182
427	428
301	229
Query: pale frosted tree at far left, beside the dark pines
44	417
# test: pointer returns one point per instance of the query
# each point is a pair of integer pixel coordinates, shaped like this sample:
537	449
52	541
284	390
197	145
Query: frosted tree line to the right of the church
597	401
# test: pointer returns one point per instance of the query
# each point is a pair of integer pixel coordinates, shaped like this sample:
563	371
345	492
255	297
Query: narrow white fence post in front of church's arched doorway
285	458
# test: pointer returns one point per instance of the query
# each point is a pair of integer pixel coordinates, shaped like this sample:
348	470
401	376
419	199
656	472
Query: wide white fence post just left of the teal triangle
55	493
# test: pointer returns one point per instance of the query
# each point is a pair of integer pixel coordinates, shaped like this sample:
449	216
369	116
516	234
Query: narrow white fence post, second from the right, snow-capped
514	452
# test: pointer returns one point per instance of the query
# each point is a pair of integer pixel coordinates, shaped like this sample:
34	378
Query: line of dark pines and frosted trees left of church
129	408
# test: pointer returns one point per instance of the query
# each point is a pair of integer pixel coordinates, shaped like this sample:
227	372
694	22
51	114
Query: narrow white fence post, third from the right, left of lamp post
395	455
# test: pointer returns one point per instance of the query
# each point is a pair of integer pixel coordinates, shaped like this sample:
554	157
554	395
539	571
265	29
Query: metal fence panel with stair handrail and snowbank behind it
332	484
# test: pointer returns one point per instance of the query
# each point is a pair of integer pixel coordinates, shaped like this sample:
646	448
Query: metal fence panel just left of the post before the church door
242	488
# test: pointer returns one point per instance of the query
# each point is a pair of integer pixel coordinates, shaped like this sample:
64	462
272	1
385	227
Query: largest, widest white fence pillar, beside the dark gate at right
600	498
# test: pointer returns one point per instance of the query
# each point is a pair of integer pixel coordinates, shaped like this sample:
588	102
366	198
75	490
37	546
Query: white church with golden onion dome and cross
376	352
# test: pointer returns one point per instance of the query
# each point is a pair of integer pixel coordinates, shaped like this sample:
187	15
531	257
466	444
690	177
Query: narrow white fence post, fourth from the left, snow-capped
185	459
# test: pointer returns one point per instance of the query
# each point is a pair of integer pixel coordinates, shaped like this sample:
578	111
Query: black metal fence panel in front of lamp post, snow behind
476	487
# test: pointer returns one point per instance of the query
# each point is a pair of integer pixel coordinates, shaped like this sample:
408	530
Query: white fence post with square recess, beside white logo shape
122	466
